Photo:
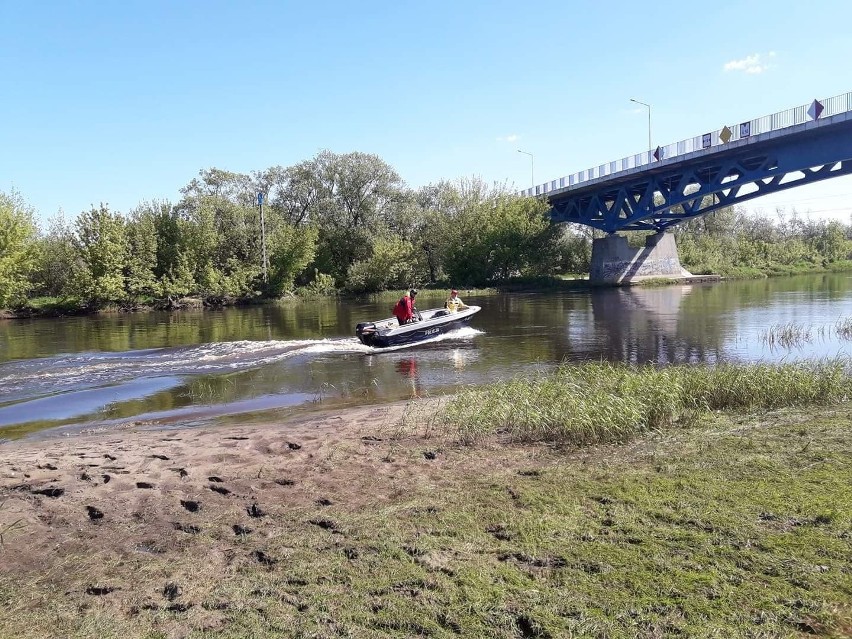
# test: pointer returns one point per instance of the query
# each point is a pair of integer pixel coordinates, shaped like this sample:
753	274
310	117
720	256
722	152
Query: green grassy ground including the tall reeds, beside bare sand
728	516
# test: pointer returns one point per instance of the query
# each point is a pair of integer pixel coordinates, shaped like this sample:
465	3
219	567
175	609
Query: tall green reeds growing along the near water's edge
604	402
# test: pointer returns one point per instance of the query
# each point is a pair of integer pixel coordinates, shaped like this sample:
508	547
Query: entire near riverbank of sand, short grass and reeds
598	501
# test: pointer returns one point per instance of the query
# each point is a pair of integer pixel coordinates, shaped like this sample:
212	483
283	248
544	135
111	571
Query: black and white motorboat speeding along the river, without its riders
432	322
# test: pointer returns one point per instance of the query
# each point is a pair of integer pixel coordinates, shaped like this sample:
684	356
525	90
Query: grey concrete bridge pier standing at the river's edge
615	262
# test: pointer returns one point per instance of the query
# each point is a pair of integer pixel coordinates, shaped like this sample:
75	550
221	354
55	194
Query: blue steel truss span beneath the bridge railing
666	193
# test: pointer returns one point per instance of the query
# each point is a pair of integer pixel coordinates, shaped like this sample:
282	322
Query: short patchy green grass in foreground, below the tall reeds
740	528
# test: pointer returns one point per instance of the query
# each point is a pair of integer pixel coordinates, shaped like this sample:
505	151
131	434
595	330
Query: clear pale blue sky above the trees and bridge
120	102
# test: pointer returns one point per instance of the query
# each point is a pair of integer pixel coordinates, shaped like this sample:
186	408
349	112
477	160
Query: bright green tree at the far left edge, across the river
17	249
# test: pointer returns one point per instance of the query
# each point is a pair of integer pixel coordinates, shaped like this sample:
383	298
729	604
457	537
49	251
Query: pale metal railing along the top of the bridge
774	122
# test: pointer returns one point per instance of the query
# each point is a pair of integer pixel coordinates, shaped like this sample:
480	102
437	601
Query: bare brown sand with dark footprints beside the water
140	489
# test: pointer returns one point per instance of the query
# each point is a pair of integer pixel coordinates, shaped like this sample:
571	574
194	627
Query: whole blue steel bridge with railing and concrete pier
654	190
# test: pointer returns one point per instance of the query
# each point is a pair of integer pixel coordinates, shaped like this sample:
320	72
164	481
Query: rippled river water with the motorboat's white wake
244	364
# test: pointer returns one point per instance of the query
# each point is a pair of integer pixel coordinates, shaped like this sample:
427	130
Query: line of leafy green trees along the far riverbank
345	223
